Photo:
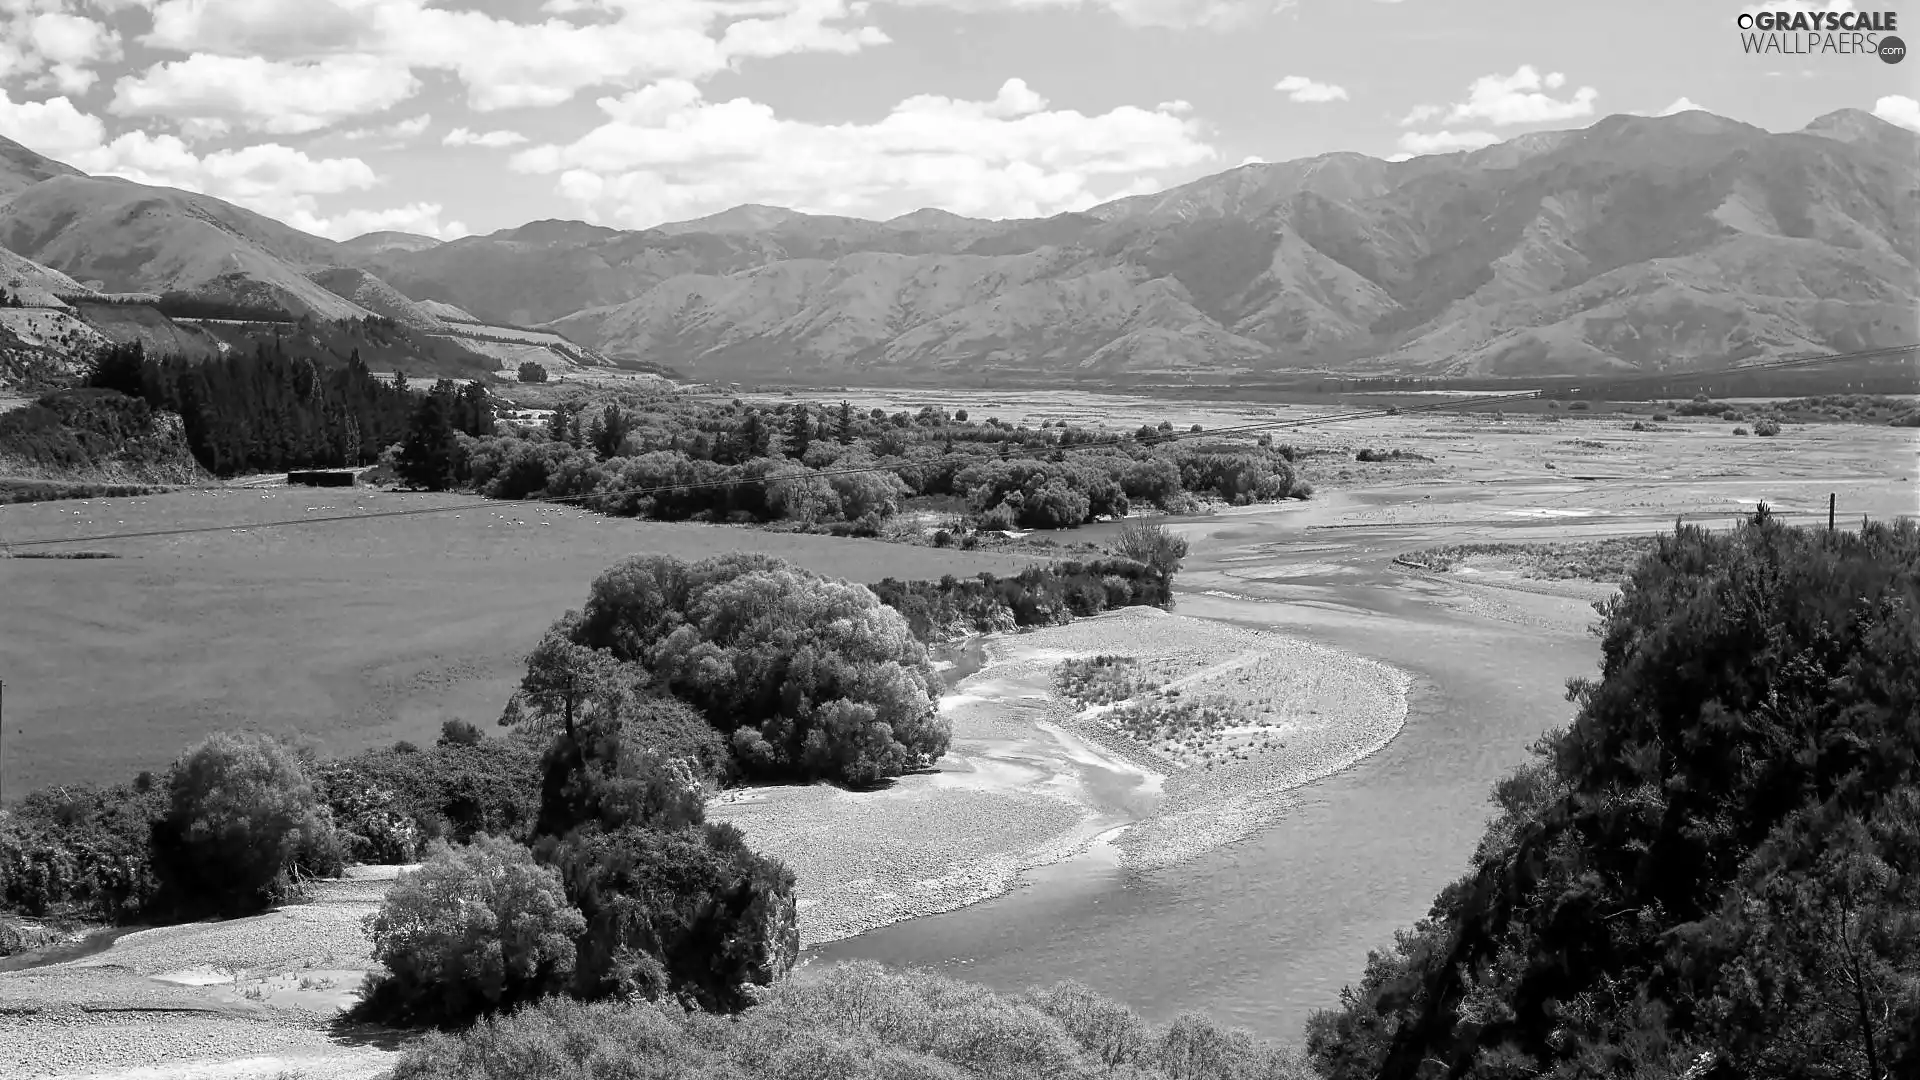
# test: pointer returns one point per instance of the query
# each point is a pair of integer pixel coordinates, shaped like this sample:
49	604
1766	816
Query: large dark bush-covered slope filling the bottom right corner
1716	870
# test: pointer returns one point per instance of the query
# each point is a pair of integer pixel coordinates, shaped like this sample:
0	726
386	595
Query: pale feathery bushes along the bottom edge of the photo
853	1023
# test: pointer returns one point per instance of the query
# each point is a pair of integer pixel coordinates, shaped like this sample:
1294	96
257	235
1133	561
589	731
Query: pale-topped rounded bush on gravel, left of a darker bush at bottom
473	931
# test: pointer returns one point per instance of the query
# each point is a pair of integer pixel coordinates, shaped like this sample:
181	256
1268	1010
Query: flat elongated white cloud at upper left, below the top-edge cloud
212	93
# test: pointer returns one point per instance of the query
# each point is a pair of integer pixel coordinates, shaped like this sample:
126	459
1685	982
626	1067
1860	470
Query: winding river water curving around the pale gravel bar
1266	931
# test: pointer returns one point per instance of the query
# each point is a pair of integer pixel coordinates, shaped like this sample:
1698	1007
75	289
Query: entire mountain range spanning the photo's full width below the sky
1633	245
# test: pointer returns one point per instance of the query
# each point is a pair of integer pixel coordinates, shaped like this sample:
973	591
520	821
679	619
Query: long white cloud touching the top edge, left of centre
508	64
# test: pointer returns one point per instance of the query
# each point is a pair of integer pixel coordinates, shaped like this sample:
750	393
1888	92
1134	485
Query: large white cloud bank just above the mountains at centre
667	153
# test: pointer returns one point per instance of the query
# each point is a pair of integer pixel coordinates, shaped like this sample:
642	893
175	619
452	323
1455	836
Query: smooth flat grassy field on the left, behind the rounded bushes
352	633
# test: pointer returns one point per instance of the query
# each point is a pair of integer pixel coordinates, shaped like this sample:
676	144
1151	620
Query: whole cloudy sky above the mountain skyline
466	116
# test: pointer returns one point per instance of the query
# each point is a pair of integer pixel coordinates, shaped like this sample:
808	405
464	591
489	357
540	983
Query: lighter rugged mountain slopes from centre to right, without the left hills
1639	243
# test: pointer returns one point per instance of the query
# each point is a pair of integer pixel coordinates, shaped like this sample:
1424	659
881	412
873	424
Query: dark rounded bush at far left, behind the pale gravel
243	822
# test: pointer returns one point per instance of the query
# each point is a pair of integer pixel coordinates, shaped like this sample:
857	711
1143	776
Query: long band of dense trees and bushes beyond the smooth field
673	458
